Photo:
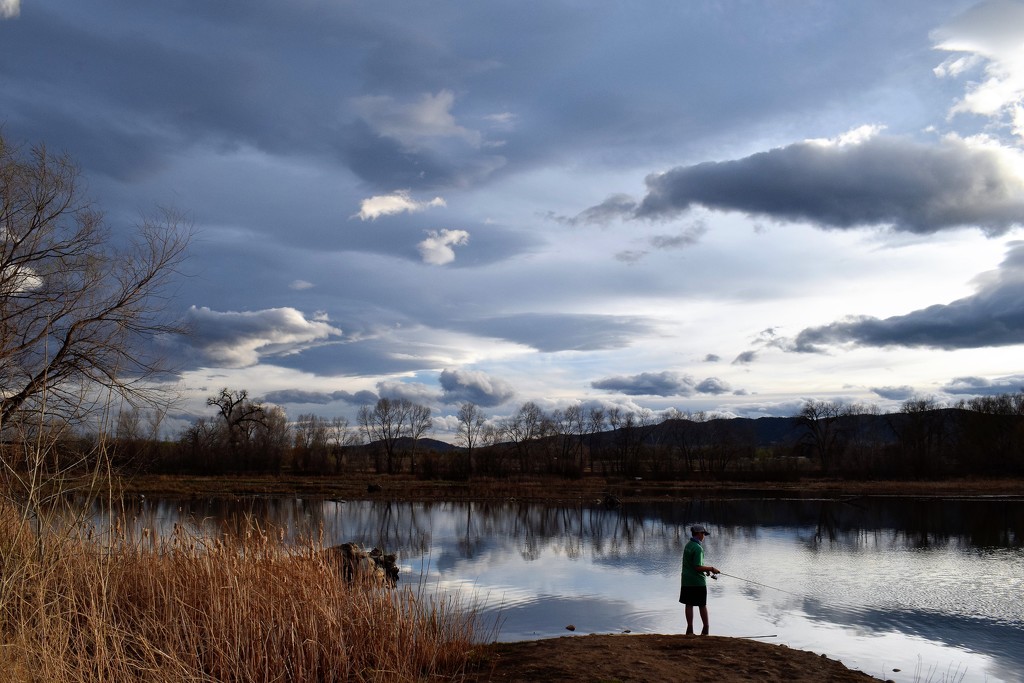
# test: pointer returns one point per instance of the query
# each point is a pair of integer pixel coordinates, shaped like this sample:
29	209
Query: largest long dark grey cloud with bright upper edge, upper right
851	183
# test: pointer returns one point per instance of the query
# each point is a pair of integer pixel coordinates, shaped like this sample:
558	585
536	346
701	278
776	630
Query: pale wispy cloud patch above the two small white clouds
414	123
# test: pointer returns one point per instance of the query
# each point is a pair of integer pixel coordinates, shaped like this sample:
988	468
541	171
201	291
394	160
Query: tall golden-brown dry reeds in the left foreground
78	608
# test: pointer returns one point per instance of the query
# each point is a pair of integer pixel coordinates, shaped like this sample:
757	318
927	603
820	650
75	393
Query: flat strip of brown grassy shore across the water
549	490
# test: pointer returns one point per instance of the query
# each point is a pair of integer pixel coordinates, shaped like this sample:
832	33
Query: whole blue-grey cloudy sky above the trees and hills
728	206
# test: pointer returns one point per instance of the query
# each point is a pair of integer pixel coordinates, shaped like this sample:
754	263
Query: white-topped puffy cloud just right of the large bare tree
244	339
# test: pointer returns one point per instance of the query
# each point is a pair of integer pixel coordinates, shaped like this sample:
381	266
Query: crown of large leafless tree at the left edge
77	314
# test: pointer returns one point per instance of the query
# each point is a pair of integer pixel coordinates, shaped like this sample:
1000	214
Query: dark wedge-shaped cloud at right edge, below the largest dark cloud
993	317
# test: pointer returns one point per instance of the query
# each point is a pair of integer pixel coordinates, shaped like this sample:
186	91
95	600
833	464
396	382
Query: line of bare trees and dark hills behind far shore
980	437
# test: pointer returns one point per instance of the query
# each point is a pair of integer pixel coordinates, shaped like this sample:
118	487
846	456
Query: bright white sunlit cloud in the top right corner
988	38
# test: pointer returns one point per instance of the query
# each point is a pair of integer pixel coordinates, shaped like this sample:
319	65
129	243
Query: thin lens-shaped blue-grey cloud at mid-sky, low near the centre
556	332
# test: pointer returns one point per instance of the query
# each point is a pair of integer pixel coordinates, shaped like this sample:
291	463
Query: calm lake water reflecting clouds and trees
931	588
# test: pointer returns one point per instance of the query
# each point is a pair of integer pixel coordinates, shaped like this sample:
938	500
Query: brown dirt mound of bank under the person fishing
637	659
